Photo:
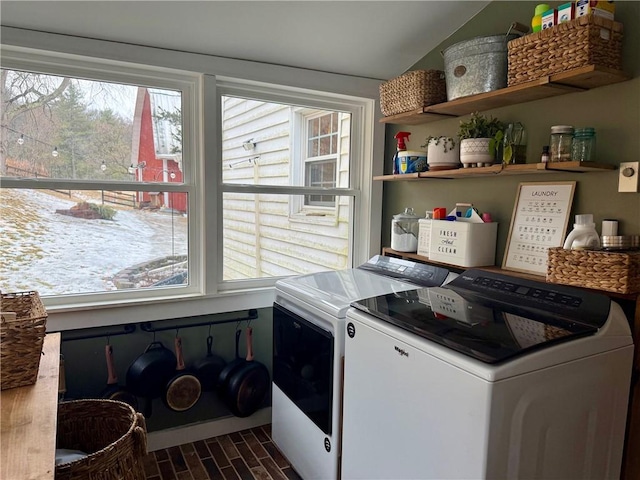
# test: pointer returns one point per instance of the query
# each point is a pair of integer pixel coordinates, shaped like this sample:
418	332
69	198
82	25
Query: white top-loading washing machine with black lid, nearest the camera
489	377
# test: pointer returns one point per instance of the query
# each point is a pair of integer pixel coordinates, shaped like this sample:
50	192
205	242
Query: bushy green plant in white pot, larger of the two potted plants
480	138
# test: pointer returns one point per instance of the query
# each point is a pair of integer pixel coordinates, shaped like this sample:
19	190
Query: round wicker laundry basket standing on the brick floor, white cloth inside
110	431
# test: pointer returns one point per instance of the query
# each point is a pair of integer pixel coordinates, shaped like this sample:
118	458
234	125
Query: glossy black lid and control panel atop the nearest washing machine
492	317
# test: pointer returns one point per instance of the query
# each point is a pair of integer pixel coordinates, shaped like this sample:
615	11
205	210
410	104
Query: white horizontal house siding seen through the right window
263	235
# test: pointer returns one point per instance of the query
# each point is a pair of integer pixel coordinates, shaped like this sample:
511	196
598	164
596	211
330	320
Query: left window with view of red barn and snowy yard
94	197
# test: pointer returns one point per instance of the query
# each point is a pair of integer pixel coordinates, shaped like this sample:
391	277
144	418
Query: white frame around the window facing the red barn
189	85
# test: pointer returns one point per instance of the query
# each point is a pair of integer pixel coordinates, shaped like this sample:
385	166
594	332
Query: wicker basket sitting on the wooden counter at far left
22	328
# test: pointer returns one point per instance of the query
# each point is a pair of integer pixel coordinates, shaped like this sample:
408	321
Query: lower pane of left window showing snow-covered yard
71	242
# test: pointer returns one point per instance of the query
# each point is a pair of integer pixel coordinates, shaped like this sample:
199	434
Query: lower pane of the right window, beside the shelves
262	239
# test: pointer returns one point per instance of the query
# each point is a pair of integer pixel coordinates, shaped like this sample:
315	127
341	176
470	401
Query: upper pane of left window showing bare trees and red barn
69	128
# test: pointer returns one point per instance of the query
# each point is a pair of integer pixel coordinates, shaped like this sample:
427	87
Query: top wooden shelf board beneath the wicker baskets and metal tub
575	80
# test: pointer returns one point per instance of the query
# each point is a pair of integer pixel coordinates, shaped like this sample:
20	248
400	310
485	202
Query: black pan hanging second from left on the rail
148	375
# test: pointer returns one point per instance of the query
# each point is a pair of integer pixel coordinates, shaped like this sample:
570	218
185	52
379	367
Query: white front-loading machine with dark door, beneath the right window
308	349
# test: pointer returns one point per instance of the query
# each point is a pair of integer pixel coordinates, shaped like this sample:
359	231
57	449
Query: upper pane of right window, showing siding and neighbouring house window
279	139
